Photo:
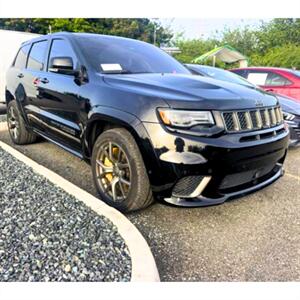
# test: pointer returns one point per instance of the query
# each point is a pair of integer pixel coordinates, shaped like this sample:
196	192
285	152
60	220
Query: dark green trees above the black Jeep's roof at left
142	29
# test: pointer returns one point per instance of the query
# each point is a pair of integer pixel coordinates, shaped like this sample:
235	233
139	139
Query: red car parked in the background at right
276	80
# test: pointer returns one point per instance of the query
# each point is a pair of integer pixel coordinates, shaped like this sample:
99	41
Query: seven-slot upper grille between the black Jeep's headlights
236	121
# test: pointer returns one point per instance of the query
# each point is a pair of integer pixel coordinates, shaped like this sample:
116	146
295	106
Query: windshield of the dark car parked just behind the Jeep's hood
224	75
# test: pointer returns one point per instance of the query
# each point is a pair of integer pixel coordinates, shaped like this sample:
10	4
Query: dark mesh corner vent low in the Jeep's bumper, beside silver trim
186	186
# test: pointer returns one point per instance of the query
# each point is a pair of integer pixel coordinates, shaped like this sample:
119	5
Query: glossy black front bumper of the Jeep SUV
236	165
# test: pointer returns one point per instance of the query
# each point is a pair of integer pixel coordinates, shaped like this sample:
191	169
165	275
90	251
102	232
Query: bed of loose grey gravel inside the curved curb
48	235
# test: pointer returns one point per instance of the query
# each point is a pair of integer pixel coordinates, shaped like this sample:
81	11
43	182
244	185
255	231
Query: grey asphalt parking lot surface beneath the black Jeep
255	238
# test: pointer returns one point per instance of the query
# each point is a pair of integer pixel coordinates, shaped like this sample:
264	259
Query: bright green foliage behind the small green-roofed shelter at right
276	43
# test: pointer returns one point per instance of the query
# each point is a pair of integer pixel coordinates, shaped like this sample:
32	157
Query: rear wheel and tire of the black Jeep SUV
16	126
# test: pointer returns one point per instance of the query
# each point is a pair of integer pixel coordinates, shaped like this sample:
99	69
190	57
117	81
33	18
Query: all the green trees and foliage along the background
276	43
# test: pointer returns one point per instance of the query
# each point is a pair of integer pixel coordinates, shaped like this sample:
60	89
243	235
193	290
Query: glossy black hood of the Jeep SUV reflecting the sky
191	92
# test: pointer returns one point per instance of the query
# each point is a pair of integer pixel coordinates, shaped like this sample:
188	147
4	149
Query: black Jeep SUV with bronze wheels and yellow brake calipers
146	124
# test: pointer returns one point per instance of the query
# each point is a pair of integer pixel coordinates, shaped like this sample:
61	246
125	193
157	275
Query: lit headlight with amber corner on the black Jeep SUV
185	118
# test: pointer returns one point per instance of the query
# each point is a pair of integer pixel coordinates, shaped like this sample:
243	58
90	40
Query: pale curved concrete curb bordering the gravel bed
143	264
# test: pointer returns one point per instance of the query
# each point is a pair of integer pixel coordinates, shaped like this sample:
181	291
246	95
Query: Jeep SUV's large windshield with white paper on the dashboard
119	55
